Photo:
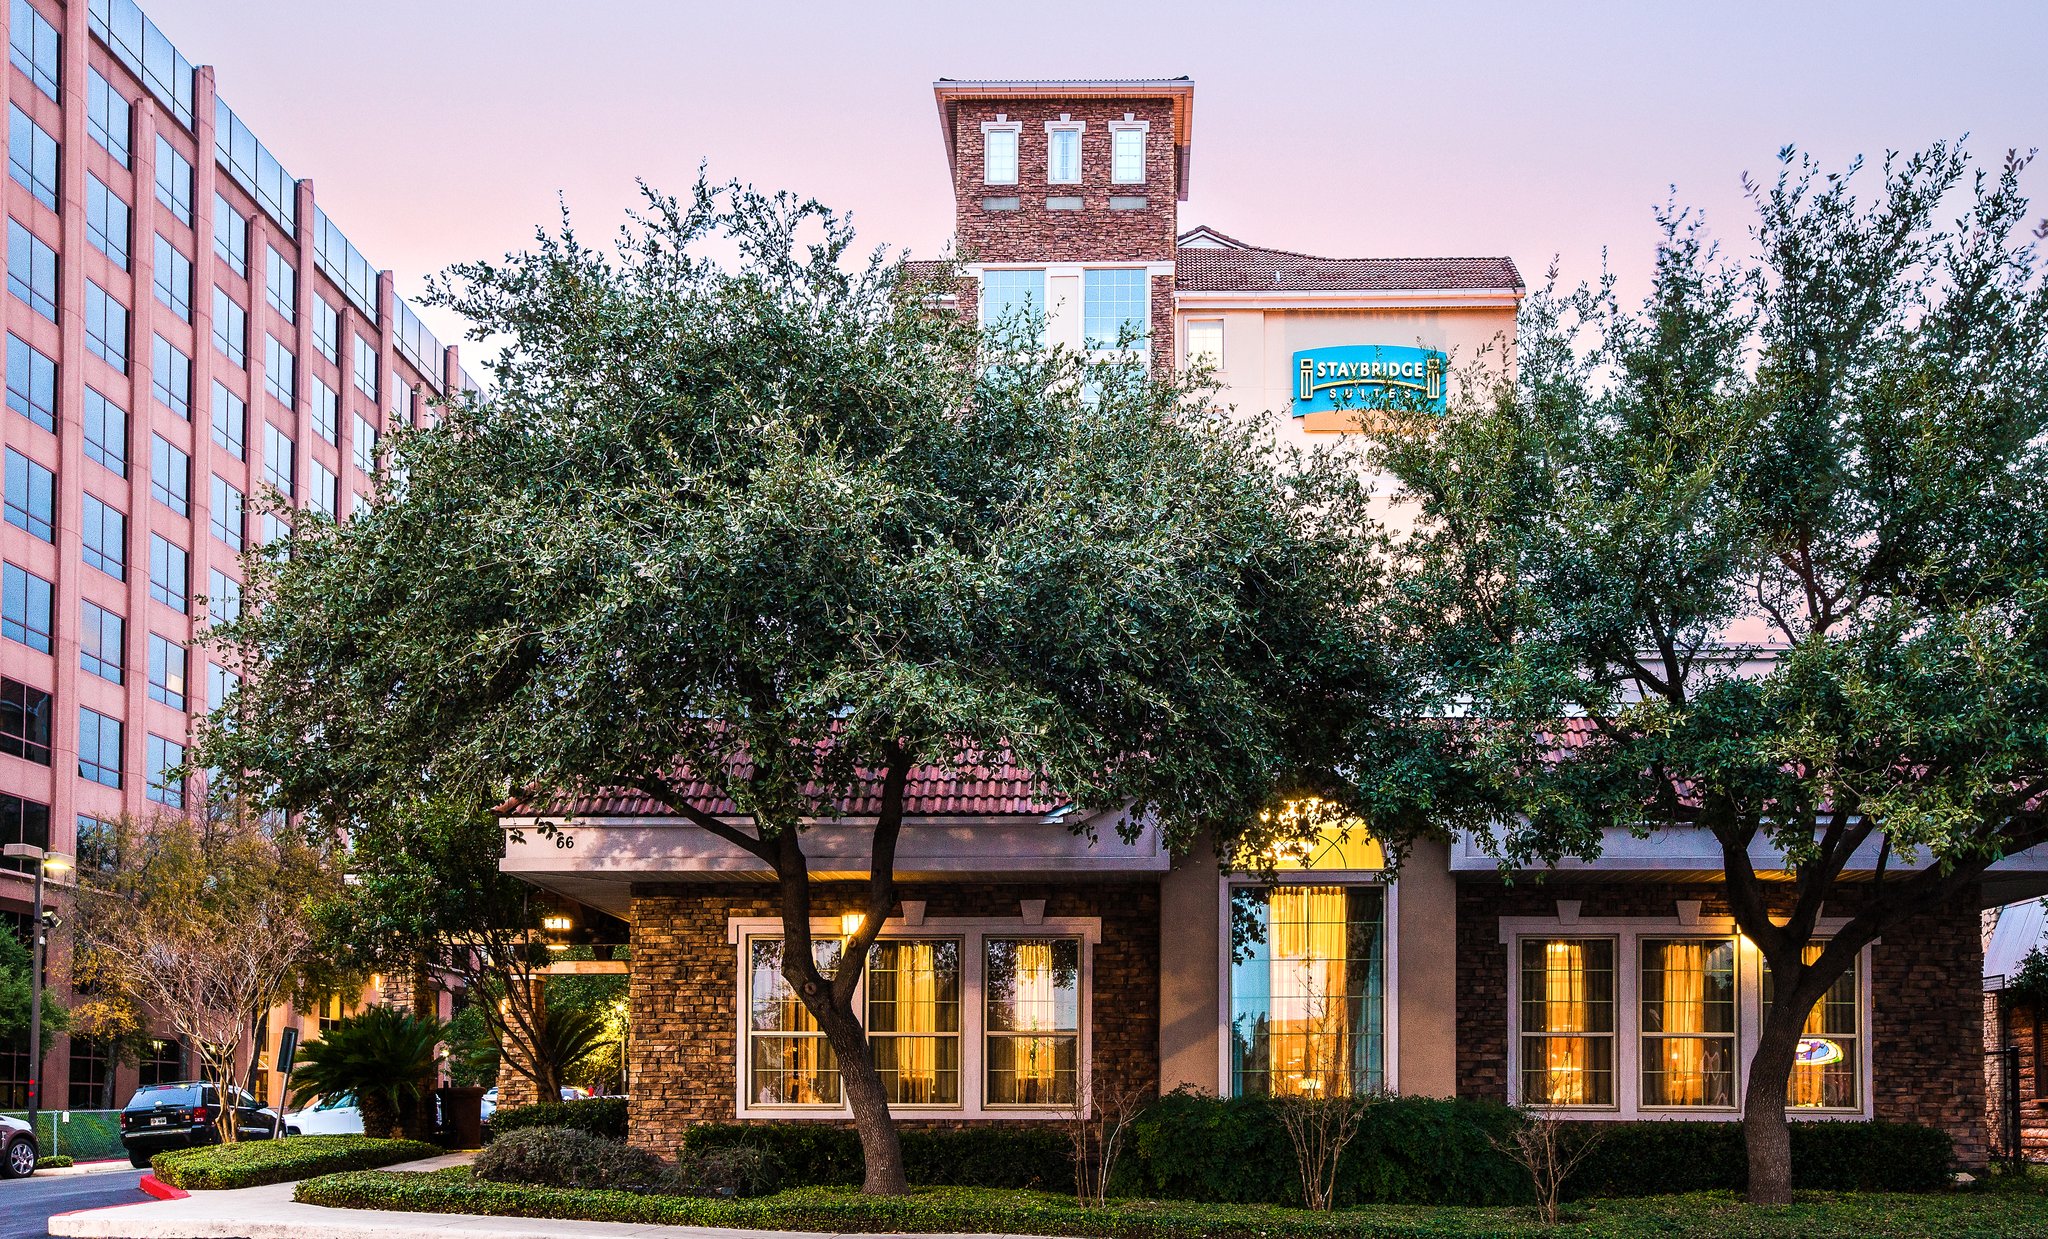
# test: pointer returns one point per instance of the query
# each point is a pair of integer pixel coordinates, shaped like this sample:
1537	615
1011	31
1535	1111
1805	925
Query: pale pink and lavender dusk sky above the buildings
443	130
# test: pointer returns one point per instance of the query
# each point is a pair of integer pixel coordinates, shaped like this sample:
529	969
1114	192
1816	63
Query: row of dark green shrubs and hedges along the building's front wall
1408	1152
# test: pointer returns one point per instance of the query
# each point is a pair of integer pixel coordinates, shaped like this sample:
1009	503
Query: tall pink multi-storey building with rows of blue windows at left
185	331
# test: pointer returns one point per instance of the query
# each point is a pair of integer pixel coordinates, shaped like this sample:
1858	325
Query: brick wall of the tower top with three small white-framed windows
1093	234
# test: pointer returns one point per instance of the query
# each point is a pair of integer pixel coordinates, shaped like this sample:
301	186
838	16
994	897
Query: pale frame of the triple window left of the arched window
972	935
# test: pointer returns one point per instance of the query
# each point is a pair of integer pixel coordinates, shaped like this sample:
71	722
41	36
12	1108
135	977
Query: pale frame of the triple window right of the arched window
1629	935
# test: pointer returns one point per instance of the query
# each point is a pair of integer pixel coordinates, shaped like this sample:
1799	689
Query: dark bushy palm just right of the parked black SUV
382	1056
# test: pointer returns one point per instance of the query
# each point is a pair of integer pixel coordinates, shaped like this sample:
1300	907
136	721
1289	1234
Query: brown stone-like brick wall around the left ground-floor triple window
685	992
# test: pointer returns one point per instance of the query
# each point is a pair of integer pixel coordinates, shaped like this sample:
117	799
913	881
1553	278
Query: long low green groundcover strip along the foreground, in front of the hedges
1707	1215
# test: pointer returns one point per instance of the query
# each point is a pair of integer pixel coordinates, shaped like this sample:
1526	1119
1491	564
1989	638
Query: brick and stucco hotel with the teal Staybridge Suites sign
1029	951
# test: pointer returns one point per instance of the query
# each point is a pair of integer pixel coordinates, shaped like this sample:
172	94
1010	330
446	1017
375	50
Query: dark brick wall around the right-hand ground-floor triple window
1924	980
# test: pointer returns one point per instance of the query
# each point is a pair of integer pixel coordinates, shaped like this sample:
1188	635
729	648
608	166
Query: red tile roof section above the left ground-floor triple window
994	789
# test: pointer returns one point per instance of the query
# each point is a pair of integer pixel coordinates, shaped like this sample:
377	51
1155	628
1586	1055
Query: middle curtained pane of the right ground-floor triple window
1689	1023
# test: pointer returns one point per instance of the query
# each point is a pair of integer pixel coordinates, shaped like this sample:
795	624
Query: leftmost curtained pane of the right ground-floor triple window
1568	1021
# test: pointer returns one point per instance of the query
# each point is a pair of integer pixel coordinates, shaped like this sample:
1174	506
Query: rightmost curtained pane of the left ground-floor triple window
1033	1054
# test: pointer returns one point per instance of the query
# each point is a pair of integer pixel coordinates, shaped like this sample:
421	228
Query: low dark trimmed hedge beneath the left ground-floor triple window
822	1156
